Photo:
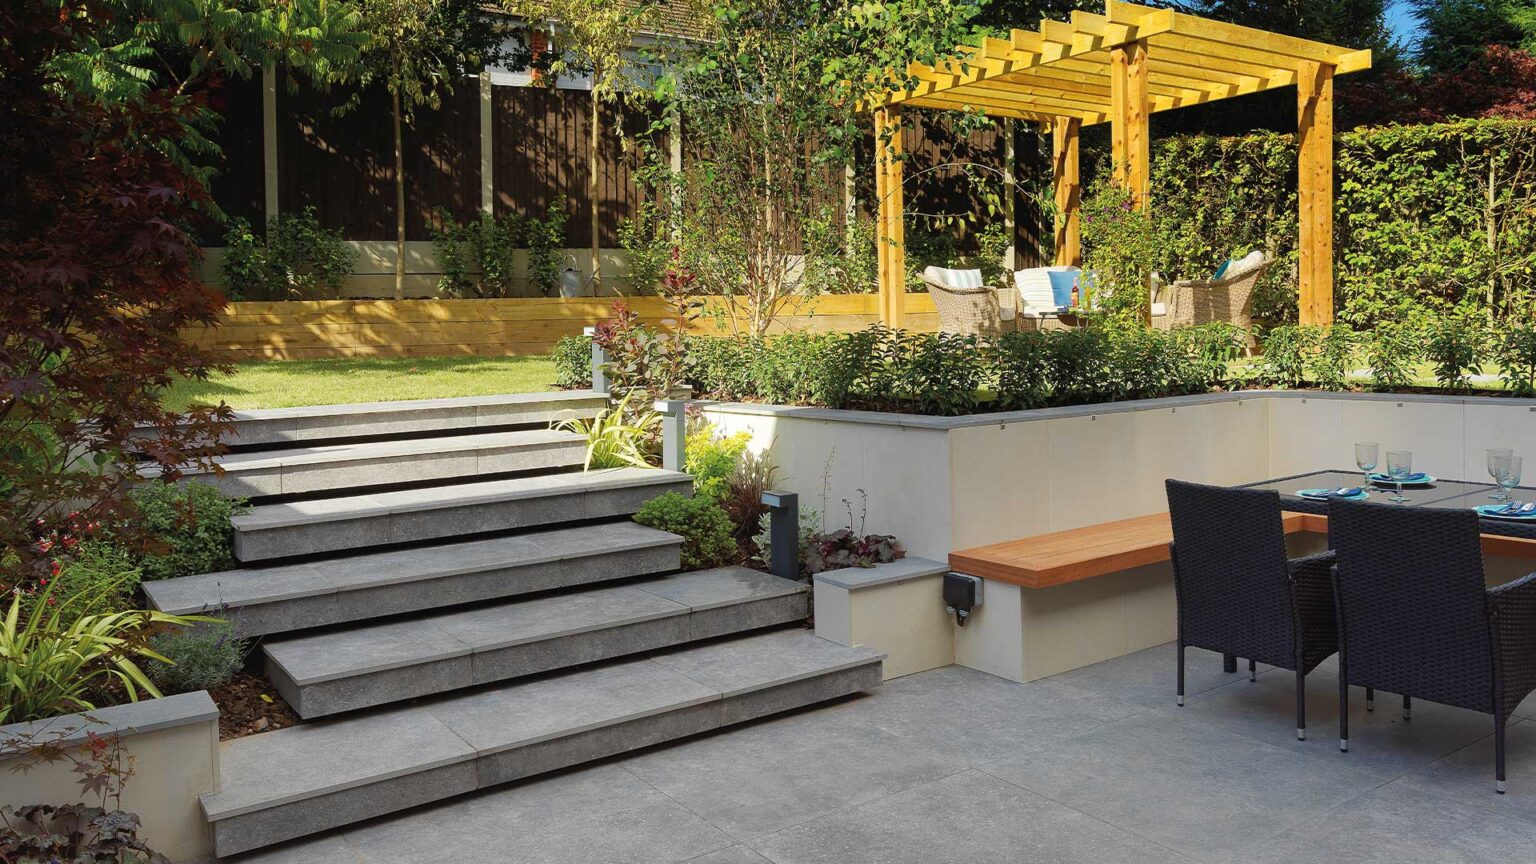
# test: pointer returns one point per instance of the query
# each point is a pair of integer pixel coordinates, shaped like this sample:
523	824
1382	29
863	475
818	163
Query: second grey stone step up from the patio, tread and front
326	674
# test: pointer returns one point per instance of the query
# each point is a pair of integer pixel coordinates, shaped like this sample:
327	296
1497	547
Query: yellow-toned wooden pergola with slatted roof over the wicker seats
1121	68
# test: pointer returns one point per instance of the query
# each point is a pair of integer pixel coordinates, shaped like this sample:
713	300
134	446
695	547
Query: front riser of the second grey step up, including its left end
532	659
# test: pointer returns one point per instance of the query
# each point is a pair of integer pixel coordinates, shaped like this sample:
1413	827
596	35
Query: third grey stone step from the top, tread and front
362	522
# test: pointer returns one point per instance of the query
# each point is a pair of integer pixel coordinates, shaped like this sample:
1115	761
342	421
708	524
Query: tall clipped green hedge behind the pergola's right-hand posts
1428	219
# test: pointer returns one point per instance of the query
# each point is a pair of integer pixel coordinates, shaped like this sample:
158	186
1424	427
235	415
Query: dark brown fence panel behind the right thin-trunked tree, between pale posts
543	141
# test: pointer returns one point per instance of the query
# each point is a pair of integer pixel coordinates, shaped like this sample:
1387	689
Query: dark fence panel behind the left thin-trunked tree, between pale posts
345	167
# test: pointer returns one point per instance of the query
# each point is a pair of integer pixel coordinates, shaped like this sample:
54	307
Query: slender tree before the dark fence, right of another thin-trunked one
594	39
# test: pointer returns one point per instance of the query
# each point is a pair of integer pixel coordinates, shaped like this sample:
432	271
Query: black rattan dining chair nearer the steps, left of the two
1239	593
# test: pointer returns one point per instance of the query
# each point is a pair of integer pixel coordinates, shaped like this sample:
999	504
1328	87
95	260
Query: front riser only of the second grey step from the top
392	471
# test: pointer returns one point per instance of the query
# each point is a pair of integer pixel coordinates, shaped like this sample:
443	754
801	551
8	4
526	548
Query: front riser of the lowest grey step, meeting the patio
262	828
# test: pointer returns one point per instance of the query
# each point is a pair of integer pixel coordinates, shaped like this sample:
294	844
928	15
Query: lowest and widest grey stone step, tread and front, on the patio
323	776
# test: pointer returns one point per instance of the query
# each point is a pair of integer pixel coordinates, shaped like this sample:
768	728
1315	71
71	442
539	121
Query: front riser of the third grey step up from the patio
363	605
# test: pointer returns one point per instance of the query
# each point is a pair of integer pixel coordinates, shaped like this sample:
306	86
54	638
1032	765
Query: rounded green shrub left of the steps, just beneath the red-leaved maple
190	525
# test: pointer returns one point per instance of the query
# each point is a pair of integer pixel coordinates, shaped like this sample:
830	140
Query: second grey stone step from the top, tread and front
302	471
